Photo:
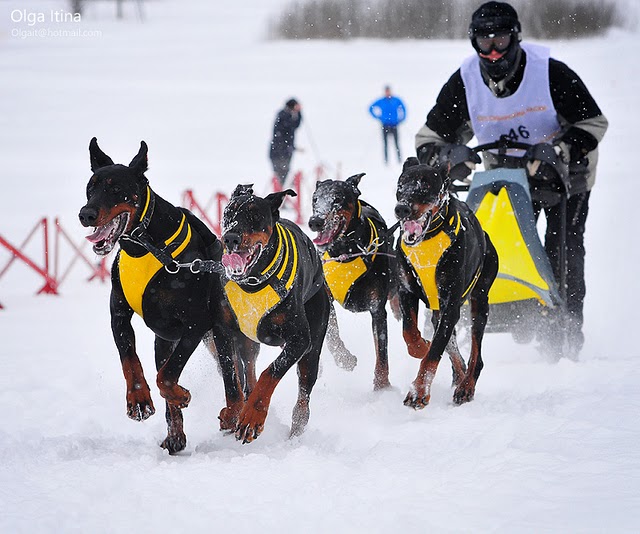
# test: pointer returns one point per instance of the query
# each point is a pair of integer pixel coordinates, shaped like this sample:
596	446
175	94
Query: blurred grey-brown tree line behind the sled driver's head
438	19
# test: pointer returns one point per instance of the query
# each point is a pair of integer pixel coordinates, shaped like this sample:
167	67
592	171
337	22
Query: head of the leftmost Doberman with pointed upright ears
115	194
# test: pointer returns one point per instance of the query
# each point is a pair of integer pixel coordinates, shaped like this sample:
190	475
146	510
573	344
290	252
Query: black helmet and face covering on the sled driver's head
493	18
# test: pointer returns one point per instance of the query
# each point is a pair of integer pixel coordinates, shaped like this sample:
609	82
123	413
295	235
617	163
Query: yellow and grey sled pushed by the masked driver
525	298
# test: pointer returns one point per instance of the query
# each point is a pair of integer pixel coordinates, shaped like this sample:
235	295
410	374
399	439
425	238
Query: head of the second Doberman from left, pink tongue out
248	229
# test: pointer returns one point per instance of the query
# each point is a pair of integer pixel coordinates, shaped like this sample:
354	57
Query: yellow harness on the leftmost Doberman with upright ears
136	272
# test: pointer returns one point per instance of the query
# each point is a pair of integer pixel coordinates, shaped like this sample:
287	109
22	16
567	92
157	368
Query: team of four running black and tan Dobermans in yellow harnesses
265	281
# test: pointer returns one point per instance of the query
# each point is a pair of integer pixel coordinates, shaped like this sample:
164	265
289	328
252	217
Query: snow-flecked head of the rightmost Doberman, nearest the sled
421	195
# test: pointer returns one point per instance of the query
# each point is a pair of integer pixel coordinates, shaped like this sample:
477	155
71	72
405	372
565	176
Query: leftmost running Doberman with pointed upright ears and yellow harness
157	274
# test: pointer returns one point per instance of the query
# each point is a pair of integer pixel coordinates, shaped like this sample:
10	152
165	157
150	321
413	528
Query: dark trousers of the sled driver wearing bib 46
577	211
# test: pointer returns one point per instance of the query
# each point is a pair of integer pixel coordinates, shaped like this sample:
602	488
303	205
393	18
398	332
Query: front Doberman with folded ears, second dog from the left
277	291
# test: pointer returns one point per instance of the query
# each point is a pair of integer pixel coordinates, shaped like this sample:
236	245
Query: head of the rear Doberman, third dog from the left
334	206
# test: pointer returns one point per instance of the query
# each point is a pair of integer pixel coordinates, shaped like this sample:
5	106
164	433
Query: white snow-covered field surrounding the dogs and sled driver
545	446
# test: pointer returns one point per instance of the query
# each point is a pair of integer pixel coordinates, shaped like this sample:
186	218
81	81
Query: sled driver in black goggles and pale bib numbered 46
513	89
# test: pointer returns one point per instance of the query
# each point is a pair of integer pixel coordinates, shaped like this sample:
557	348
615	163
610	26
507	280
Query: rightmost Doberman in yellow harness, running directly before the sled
444	258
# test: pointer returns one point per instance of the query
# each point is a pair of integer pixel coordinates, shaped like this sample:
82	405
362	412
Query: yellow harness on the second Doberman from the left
251	306
